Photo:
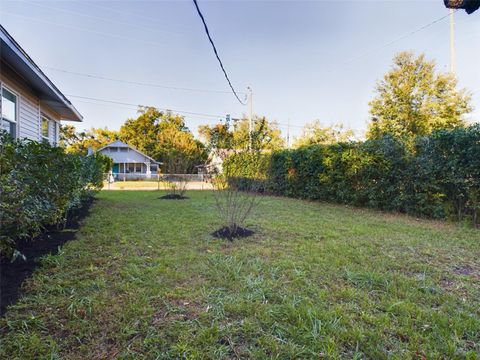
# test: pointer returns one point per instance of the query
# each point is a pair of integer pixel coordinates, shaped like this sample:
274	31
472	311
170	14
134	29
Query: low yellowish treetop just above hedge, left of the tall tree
316	133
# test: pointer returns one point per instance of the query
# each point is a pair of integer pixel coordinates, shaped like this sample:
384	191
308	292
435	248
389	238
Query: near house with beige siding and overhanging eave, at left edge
31	105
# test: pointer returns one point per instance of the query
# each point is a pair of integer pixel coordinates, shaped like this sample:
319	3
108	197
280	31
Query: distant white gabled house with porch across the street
128	162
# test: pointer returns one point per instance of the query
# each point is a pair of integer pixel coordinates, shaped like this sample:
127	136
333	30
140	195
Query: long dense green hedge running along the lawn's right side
438	176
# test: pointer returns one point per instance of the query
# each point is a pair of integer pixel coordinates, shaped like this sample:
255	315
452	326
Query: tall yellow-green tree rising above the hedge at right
414	99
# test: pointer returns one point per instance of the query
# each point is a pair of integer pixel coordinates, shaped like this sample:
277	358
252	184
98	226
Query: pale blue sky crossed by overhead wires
304	60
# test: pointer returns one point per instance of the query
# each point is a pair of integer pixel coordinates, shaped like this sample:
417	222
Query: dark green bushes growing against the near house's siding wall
39	185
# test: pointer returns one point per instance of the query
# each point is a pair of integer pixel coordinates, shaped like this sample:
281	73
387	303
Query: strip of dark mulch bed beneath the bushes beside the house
12	274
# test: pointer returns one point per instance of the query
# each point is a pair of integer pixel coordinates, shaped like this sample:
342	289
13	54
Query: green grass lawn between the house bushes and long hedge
145	279
